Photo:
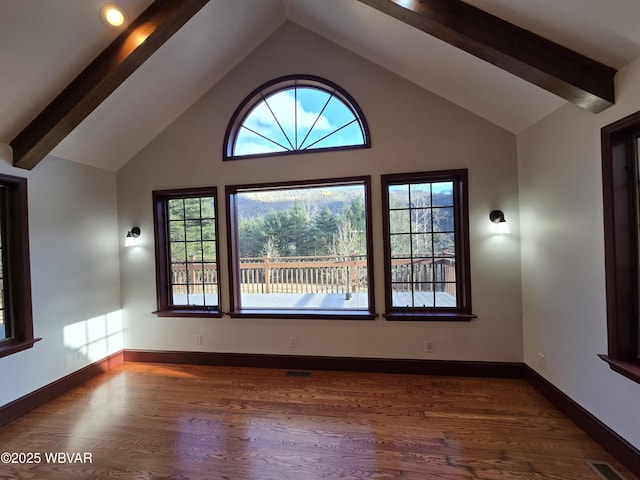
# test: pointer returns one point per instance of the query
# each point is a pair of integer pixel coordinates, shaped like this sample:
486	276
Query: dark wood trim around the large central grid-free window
236	311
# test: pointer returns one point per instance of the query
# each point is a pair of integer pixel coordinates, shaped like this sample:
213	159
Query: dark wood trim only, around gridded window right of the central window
463	311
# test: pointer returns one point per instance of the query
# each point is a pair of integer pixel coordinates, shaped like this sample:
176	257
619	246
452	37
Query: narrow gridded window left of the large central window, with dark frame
186	252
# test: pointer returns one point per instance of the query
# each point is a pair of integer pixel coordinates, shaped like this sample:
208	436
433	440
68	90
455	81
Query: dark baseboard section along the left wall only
25	404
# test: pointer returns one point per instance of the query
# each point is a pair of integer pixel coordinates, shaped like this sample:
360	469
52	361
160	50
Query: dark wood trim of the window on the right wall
622	245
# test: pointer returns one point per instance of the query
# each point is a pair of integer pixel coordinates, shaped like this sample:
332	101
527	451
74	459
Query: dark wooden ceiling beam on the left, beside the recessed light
110	69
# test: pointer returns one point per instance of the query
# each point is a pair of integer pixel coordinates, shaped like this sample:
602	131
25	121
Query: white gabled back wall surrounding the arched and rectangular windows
411	129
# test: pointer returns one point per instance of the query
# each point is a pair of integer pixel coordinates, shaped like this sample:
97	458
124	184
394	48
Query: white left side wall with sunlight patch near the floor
74	274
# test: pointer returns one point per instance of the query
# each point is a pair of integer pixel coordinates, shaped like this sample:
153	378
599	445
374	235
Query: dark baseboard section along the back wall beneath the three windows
348	364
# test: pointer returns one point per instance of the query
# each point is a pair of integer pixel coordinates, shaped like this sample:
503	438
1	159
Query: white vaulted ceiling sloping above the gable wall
46	44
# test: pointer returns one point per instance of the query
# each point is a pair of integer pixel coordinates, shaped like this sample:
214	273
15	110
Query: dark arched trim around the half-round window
285	83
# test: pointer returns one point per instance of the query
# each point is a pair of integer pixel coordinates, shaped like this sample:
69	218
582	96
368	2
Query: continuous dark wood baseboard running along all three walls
626	453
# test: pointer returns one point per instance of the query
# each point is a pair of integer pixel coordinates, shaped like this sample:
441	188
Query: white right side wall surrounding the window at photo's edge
564	307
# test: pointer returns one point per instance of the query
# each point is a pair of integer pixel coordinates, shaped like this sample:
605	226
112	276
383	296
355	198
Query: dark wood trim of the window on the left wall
17	270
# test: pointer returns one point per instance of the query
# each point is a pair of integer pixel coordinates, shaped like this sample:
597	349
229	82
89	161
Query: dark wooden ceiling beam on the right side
570	75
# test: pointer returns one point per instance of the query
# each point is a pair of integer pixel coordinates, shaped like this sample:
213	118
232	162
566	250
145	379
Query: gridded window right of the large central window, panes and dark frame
426	246
